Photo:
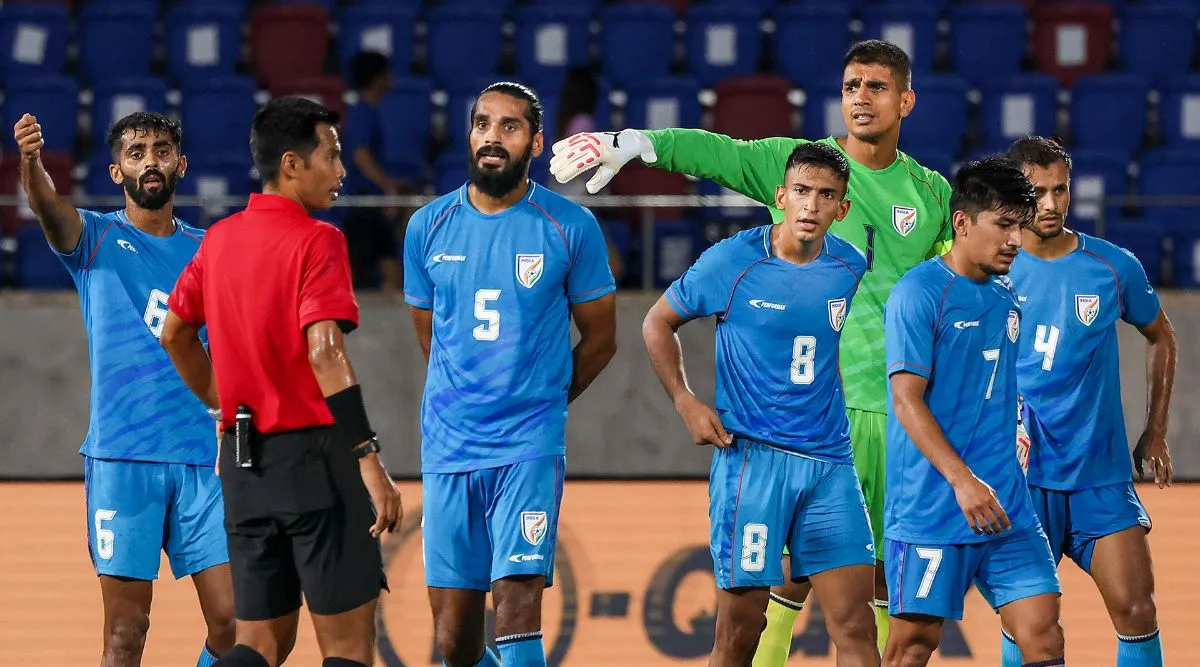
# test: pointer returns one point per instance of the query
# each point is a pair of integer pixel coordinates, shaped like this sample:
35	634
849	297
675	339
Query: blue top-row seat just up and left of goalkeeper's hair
811	43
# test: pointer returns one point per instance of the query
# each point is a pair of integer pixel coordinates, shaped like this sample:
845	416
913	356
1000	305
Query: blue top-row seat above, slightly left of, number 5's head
449	29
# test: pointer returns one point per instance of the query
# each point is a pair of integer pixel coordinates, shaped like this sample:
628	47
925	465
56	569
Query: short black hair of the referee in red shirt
286	124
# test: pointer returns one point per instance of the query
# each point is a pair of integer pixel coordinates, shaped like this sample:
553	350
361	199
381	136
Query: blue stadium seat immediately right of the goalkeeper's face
940	119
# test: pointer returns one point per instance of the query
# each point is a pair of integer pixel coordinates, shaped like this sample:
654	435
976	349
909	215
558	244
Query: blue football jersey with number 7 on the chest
962	336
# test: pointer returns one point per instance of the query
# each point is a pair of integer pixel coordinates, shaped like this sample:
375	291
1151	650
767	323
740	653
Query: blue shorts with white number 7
933	580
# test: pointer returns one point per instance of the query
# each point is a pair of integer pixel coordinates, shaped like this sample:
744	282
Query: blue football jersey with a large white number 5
501	289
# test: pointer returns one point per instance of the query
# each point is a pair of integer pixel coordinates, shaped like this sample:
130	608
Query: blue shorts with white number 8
763	500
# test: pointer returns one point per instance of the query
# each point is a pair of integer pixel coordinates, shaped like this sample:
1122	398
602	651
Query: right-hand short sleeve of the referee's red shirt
326	287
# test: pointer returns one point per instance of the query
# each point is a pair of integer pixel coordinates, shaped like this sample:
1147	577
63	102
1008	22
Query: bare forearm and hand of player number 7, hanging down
976	498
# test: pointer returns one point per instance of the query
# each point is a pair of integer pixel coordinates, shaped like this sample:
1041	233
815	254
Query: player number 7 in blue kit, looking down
958	510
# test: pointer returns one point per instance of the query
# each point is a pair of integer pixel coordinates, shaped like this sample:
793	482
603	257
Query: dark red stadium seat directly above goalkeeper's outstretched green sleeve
753	107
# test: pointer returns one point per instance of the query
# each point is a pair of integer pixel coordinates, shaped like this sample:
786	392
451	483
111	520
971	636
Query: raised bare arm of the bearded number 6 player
59	219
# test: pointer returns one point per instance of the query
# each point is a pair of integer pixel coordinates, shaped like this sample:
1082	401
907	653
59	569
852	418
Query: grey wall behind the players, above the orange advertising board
623	426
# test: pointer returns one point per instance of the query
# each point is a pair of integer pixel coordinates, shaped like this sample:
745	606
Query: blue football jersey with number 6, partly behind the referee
141	408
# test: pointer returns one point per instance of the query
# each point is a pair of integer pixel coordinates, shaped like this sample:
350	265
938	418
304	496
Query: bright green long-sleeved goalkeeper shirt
899	217
